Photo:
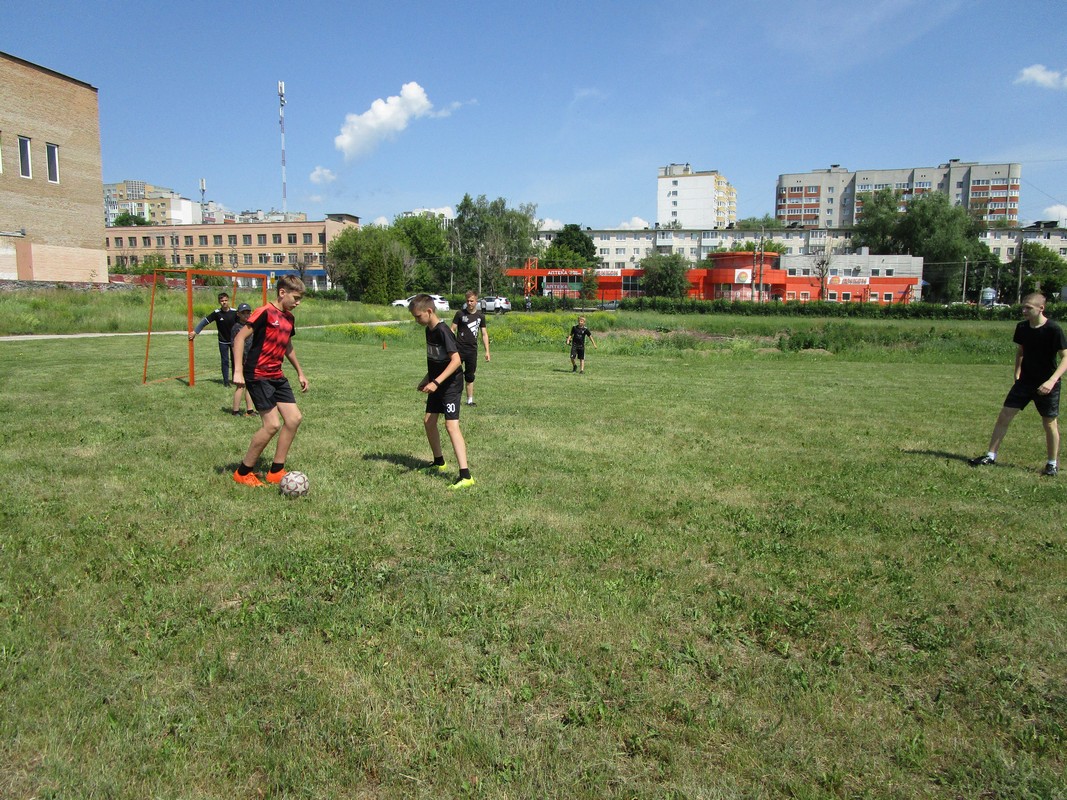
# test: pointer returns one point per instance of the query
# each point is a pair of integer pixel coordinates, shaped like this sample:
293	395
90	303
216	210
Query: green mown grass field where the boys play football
707	569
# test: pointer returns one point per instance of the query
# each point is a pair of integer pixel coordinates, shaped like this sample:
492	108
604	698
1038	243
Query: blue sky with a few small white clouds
396	106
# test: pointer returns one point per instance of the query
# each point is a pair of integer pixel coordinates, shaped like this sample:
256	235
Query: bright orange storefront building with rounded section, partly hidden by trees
740	276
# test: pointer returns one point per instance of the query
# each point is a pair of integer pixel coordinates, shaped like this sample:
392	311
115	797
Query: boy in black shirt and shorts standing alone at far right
1037	378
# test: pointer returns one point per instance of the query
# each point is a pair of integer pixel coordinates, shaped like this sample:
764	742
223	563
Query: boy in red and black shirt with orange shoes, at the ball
272	328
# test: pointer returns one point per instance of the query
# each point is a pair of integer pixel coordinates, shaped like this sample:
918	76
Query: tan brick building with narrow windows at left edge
51	177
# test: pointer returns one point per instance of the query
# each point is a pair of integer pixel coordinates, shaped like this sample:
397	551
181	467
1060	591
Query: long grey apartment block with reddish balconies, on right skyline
832	198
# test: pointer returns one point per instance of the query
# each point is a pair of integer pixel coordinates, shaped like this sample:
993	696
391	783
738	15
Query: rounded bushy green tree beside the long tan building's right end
371	264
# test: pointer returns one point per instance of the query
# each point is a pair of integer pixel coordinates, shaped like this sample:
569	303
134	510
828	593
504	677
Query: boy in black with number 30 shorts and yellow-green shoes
443	387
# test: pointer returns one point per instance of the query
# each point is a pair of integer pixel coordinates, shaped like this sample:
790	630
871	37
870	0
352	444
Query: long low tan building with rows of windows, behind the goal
272	248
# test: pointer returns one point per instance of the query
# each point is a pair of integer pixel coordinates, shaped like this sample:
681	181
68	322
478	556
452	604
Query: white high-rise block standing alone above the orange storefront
695	200
